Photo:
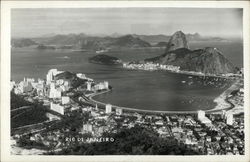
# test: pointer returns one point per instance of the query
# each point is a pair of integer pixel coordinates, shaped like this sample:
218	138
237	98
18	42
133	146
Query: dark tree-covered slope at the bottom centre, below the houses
134	141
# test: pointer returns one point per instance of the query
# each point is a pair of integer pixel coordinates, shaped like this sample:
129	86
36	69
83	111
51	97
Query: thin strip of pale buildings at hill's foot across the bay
151	66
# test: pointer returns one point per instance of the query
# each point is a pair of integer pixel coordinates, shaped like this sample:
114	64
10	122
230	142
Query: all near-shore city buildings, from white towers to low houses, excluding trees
214	133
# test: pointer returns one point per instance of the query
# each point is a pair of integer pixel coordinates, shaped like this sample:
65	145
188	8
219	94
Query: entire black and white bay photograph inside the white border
127	81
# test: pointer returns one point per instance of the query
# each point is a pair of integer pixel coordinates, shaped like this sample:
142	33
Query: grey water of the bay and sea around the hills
149	90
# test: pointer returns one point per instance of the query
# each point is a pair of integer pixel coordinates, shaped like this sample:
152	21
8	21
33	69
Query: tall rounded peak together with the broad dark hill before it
208	60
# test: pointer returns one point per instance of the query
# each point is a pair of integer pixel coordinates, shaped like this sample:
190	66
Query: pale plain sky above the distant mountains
219	22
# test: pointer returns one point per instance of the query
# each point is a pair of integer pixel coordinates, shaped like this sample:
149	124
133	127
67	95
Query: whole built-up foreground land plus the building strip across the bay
58	116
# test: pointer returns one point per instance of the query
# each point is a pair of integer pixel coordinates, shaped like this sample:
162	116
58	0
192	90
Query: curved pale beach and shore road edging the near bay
223	97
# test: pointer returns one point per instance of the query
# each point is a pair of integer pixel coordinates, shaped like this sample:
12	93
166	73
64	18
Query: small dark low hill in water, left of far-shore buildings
105	59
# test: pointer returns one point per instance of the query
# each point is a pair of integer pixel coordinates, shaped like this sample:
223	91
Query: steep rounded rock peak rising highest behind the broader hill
177	40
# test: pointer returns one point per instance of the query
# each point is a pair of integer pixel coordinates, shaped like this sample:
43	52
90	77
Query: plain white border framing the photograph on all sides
5	75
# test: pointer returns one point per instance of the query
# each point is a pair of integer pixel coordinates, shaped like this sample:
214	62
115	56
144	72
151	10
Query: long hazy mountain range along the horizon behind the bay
83	41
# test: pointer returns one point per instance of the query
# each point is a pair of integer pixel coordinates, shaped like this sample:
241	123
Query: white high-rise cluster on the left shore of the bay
54	92
